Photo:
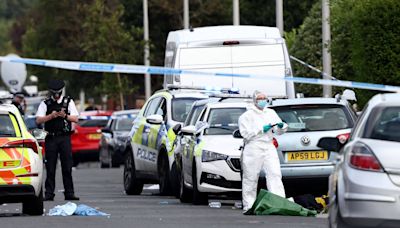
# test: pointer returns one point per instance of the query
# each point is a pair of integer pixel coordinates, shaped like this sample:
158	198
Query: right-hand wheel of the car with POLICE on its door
163	174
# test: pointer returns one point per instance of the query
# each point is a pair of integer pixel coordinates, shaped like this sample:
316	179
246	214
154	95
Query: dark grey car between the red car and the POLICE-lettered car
114	138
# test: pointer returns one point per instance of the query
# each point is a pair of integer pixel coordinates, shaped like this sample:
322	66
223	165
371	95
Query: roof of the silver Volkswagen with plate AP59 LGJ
312	100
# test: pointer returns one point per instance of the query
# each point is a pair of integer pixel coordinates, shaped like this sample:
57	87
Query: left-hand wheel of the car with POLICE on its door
132	185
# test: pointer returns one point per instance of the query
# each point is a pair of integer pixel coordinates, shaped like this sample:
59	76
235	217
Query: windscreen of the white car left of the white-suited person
223	121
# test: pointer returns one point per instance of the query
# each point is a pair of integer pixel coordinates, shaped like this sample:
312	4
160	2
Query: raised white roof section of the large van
227	32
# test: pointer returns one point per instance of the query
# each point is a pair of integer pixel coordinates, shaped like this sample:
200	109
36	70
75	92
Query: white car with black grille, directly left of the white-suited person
207	154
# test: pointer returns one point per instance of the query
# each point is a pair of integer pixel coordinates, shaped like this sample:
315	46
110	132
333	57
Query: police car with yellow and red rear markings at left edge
21	163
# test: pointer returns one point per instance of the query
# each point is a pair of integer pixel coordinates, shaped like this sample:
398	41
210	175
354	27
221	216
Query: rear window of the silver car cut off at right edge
383	124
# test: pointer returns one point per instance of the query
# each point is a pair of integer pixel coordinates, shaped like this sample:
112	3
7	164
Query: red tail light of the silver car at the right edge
361	157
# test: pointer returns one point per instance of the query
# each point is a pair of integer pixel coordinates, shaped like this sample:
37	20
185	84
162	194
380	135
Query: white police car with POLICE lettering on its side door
149	156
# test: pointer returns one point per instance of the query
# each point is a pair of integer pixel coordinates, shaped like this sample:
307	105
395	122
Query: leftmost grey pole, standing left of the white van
147	79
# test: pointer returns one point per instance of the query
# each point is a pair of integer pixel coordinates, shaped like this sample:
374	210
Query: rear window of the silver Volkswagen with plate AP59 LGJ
318	117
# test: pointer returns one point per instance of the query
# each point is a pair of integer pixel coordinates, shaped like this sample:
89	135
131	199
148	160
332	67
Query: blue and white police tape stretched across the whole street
153	70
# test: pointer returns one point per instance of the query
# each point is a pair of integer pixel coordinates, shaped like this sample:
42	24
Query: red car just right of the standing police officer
86	135
